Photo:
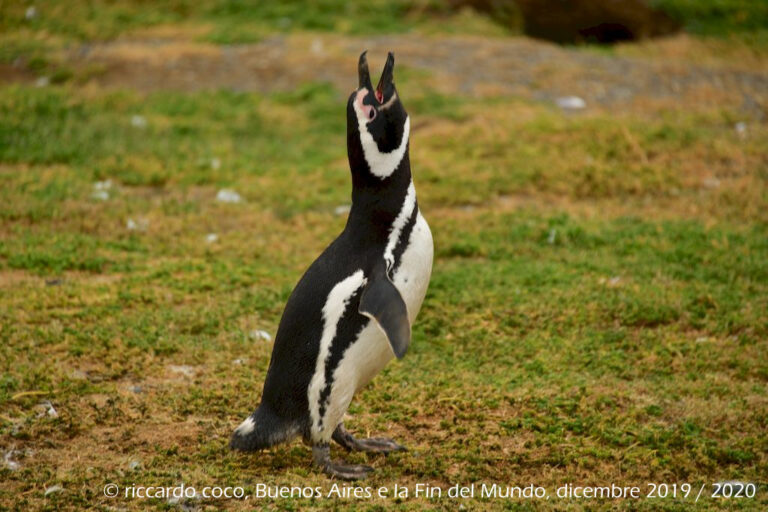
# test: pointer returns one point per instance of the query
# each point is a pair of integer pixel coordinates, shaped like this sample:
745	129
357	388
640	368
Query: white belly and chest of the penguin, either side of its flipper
371	351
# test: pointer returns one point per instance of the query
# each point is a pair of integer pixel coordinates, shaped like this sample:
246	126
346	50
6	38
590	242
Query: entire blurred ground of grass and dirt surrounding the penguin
595	175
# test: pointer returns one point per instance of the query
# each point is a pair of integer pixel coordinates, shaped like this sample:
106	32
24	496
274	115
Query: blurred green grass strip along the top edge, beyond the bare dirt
57	23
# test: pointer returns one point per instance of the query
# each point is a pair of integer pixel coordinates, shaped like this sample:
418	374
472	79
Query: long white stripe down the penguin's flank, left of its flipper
333	310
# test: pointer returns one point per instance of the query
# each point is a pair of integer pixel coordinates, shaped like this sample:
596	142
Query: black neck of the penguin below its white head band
377	202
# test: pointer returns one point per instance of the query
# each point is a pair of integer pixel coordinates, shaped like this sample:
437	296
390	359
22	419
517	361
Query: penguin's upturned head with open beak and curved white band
377	121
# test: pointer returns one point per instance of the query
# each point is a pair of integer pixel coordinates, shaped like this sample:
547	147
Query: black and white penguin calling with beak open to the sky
352	311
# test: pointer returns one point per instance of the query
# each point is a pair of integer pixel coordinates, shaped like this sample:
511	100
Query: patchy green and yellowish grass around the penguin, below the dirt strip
596	313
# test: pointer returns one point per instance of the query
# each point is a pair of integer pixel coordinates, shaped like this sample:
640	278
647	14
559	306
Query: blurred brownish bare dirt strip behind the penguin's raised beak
466	65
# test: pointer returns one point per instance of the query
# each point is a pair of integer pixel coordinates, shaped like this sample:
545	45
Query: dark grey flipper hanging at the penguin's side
382	302
